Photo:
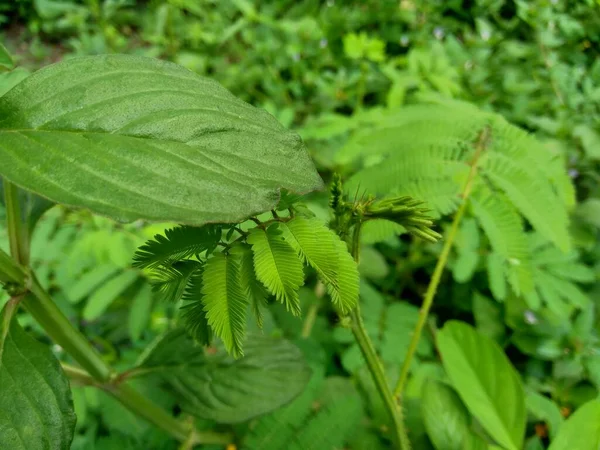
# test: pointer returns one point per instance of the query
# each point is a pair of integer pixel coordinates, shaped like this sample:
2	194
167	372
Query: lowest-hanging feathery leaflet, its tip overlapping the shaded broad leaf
225	301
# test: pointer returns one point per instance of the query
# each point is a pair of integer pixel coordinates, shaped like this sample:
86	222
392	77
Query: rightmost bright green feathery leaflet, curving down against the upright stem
316	245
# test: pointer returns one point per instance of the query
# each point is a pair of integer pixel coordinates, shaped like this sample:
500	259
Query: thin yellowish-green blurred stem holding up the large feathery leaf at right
439	267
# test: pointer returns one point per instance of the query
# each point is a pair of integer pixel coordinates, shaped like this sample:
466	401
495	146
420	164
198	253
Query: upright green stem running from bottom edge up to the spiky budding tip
373	363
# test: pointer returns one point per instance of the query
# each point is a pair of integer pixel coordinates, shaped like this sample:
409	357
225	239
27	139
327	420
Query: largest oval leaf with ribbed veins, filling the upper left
132	137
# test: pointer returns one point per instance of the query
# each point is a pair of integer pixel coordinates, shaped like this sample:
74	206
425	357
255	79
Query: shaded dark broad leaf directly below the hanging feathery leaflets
219	388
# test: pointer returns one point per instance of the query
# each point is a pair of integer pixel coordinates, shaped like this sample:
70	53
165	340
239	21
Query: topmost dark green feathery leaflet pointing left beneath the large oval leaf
177	243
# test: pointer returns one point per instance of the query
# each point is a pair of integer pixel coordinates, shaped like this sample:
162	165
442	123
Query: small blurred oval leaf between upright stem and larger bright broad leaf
446	419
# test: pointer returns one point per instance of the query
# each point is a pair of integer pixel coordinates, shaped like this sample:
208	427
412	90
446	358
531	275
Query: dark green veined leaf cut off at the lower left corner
36	409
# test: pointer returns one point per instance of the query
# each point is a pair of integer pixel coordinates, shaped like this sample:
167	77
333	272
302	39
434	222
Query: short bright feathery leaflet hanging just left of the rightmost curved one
277	266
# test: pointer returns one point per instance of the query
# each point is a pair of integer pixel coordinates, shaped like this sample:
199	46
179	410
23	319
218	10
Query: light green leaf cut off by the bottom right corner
581	431
